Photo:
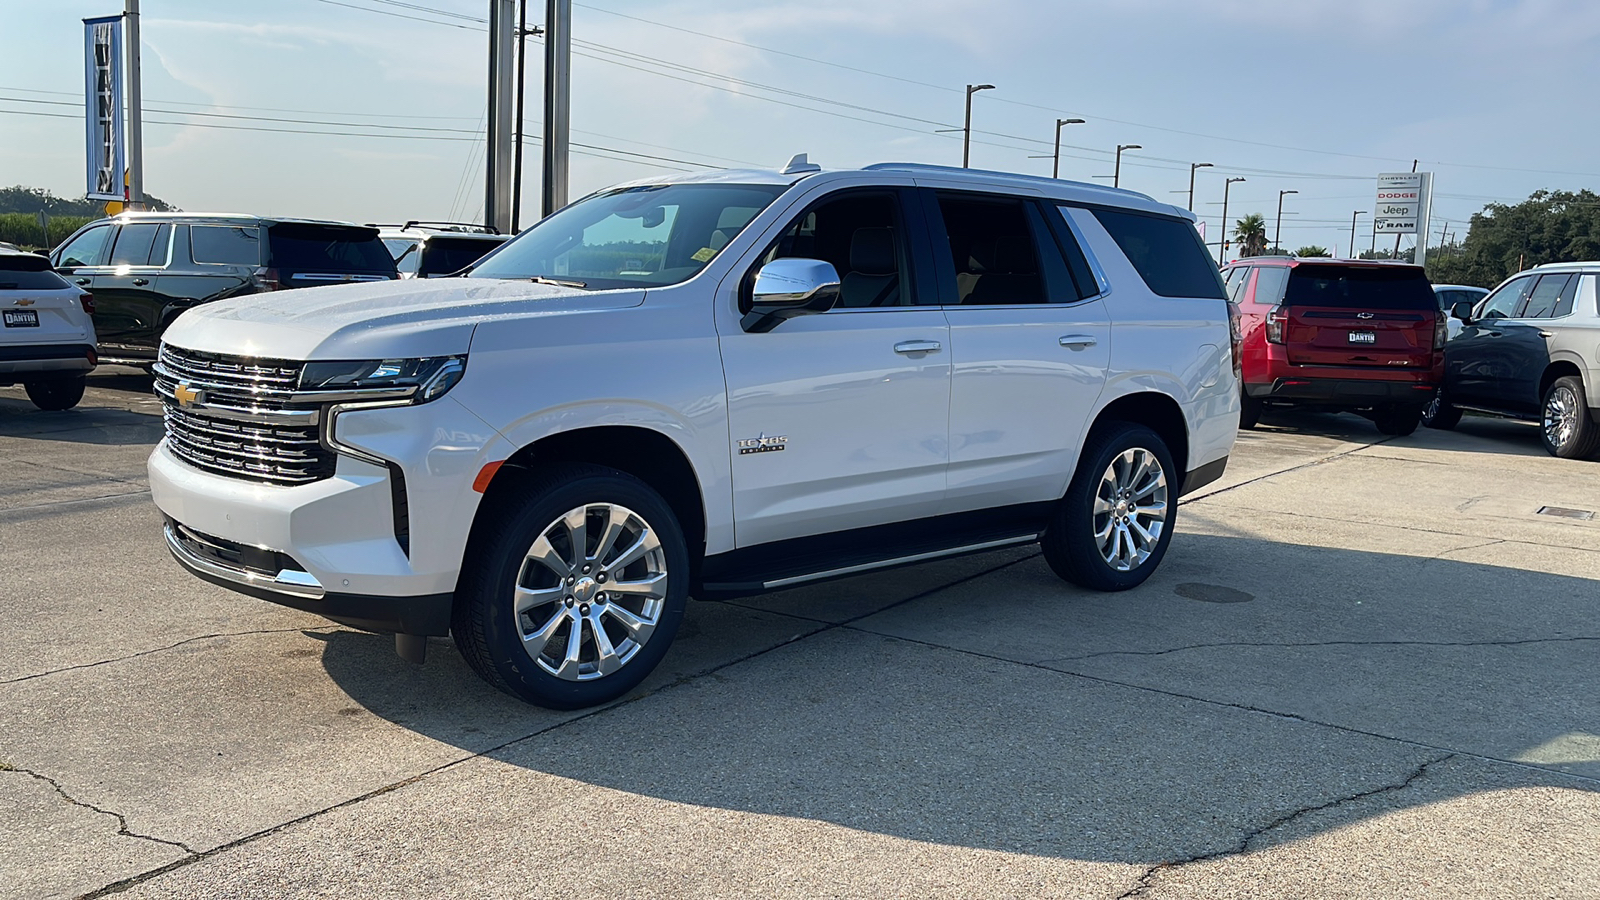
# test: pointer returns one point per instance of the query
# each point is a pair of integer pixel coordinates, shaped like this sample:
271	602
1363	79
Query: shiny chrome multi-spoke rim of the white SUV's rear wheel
1130	508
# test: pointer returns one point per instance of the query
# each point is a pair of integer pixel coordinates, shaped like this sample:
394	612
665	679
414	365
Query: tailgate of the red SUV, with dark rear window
1361	316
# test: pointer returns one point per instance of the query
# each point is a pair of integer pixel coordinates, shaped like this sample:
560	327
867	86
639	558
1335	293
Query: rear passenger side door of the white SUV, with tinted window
1030	345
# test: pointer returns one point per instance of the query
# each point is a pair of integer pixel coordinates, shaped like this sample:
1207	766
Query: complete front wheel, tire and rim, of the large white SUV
575	589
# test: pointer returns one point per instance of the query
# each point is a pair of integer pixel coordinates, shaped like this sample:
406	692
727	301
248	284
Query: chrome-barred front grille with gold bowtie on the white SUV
246	422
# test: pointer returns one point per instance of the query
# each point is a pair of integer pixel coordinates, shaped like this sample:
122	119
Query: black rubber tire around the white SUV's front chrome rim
490	633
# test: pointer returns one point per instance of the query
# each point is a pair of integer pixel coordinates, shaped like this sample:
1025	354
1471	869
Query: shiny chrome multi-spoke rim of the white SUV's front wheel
591	592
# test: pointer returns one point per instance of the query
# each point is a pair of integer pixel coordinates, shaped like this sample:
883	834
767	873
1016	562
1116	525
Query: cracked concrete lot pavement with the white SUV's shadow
1366	669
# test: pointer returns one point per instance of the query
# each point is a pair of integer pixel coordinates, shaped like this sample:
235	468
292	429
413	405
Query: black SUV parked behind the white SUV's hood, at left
148	268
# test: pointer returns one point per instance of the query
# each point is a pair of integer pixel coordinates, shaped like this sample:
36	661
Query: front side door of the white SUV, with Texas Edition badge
839	420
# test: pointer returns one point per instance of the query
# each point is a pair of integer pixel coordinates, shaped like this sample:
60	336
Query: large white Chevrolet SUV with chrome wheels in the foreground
710	385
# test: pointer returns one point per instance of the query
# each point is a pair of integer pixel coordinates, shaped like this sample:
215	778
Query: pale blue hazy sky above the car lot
1310	95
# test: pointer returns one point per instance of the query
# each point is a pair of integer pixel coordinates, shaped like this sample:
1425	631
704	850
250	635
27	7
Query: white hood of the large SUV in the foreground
393	319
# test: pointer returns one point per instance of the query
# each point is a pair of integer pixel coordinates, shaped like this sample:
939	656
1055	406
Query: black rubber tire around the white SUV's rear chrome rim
1070	542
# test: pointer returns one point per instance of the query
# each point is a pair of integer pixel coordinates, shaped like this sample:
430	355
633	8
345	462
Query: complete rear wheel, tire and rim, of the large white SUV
1113	528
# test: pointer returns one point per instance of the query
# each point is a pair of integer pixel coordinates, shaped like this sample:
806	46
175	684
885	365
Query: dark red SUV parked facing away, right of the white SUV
1353	335
